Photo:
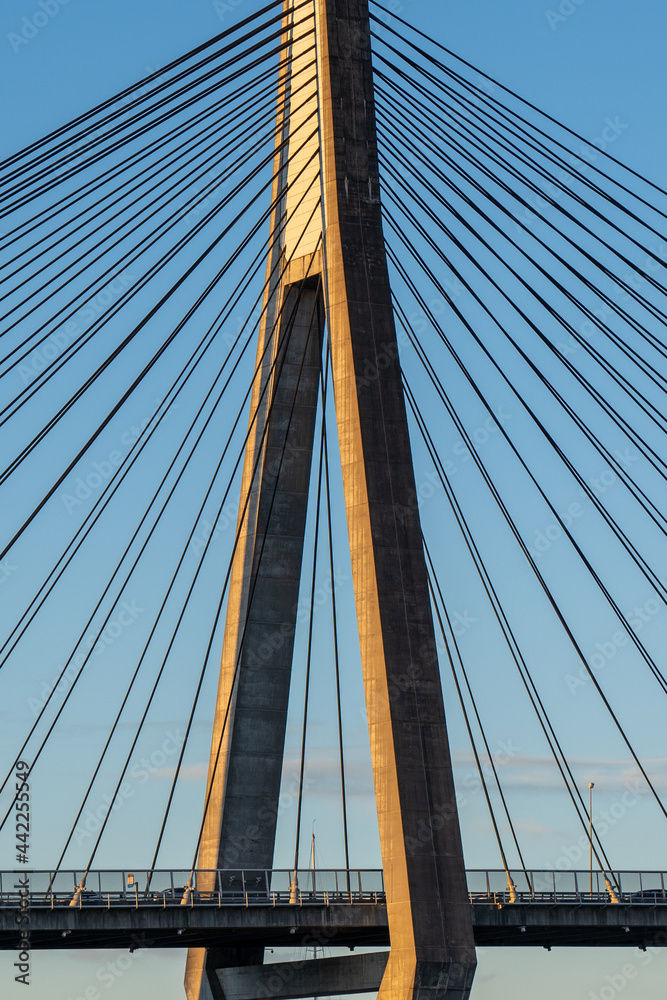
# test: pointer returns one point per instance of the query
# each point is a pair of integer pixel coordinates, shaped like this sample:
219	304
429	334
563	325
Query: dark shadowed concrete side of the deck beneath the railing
345	925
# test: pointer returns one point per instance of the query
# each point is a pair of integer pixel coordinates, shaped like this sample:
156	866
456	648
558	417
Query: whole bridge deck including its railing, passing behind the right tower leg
546	909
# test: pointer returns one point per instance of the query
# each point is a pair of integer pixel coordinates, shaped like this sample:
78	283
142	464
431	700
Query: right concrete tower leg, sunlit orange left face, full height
432	946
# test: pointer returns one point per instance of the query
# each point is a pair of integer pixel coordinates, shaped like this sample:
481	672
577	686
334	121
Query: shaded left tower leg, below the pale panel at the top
251	711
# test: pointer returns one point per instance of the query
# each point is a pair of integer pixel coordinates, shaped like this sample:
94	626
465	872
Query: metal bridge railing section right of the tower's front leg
491	886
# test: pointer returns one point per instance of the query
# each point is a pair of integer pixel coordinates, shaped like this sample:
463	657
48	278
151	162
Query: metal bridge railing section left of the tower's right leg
184	888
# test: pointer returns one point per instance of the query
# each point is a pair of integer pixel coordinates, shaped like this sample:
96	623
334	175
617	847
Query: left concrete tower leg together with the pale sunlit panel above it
244	775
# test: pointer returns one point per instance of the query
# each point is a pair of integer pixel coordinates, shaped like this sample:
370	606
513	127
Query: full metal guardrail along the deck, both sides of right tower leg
234	887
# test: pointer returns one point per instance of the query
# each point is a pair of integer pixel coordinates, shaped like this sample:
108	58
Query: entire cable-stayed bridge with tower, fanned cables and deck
432	276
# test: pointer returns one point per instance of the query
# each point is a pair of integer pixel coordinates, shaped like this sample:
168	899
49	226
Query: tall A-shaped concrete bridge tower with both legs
329	262
